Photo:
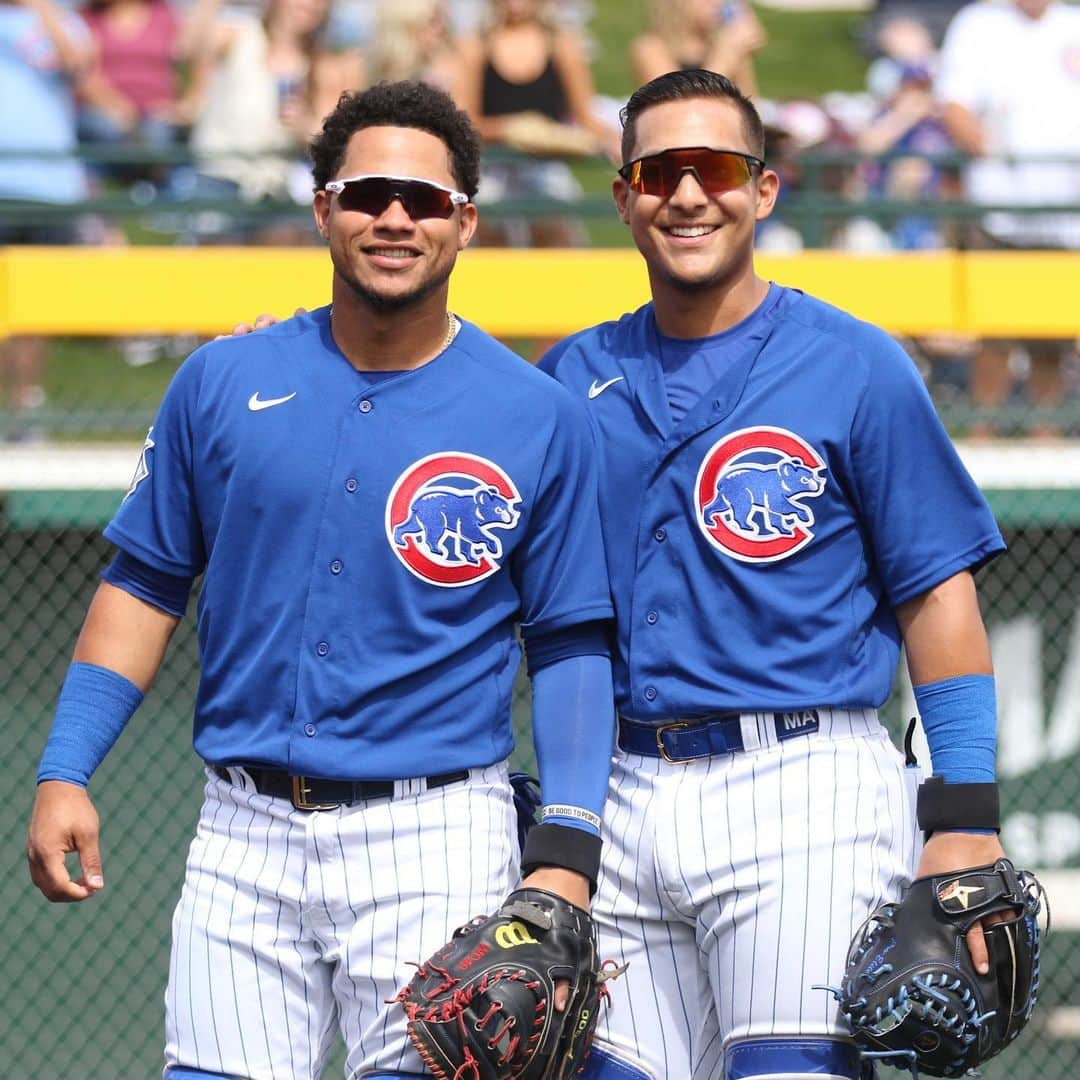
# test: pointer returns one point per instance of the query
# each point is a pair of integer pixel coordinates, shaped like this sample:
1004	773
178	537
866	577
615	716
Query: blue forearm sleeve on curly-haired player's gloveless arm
94	707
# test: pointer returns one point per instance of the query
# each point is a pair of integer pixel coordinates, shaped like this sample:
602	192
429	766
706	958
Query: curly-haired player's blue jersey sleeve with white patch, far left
158	521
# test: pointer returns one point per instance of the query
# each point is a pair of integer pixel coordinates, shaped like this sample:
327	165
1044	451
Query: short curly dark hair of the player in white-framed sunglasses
398	105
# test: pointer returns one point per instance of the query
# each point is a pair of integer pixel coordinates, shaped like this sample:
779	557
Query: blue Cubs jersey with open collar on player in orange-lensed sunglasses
759	547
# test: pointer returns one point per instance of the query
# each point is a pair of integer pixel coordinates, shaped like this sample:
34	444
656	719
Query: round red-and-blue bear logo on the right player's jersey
752	494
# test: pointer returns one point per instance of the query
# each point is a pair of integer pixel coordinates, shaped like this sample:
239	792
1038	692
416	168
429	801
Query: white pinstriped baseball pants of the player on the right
733	884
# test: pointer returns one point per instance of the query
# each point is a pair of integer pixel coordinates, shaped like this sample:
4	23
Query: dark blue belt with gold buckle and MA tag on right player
680	741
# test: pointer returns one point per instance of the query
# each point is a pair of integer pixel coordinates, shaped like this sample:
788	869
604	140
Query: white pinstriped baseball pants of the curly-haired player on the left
290	922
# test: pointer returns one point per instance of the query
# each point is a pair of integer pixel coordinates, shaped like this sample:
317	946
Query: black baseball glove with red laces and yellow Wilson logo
483	1007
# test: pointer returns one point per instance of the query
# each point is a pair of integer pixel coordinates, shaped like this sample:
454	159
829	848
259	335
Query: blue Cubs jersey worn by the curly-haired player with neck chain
368	547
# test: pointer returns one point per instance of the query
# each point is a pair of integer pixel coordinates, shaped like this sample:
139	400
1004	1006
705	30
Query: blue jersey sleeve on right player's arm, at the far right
926	518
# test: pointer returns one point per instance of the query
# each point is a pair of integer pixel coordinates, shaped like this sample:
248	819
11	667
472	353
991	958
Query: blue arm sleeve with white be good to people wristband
574	731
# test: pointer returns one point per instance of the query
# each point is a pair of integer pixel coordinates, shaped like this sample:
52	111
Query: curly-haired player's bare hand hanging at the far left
64	820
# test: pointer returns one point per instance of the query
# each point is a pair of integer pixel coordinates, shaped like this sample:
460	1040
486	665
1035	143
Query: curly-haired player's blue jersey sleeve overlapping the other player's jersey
560	569
